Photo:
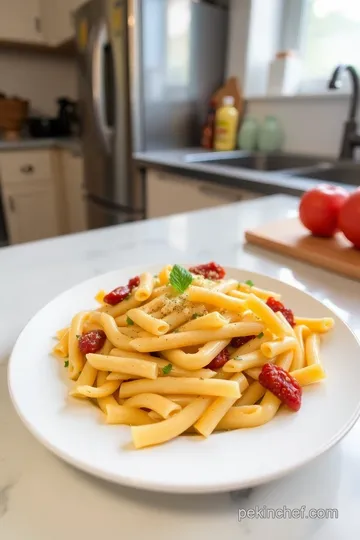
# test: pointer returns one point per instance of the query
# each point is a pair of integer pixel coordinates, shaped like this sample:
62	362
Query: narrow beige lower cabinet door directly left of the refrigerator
74	192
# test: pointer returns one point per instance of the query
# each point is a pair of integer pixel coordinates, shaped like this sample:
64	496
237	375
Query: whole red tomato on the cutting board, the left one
319	209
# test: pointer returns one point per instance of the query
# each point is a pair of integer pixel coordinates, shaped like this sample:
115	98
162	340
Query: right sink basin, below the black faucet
342	173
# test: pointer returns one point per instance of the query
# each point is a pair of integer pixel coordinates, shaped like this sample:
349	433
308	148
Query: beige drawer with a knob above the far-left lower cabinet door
18	166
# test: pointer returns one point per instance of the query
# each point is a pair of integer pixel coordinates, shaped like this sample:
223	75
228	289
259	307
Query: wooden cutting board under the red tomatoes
289	237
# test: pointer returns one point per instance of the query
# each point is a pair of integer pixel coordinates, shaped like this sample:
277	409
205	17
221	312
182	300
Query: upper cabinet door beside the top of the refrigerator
57	20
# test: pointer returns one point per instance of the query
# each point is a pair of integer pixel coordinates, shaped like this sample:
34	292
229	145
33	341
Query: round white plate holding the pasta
75	431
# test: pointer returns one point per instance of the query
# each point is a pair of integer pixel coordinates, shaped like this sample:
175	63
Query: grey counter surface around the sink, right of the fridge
265	182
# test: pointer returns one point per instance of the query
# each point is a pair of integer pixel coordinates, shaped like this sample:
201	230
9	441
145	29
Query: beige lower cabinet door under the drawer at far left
30	211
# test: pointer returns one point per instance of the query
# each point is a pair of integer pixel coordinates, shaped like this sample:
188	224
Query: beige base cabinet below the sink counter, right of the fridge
168	194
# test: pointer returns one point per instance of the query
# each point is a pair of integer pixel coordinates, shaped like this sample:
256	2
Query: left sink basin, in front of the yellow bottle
256	161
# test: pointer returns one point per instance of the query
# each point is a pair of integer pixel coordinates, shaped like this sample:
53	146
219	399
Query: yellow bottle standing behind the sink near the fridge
226	121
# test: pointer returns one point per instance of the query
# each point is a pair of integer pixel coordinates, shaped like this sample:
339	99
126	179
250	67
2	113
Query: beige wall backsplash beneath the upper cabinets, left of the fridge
38	77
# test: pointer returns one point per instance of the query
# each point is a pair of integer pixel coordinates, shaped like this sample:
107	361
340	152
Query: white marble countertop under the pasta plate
42	498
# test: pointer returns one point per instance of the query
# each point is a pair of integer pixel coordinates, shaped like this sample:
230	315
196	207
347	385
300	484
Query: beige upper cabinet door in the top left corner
20	20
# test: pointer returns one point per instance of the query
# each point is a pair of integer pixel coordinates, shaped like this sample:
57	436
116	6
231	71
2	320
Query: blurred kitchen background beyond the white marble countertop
119	110
